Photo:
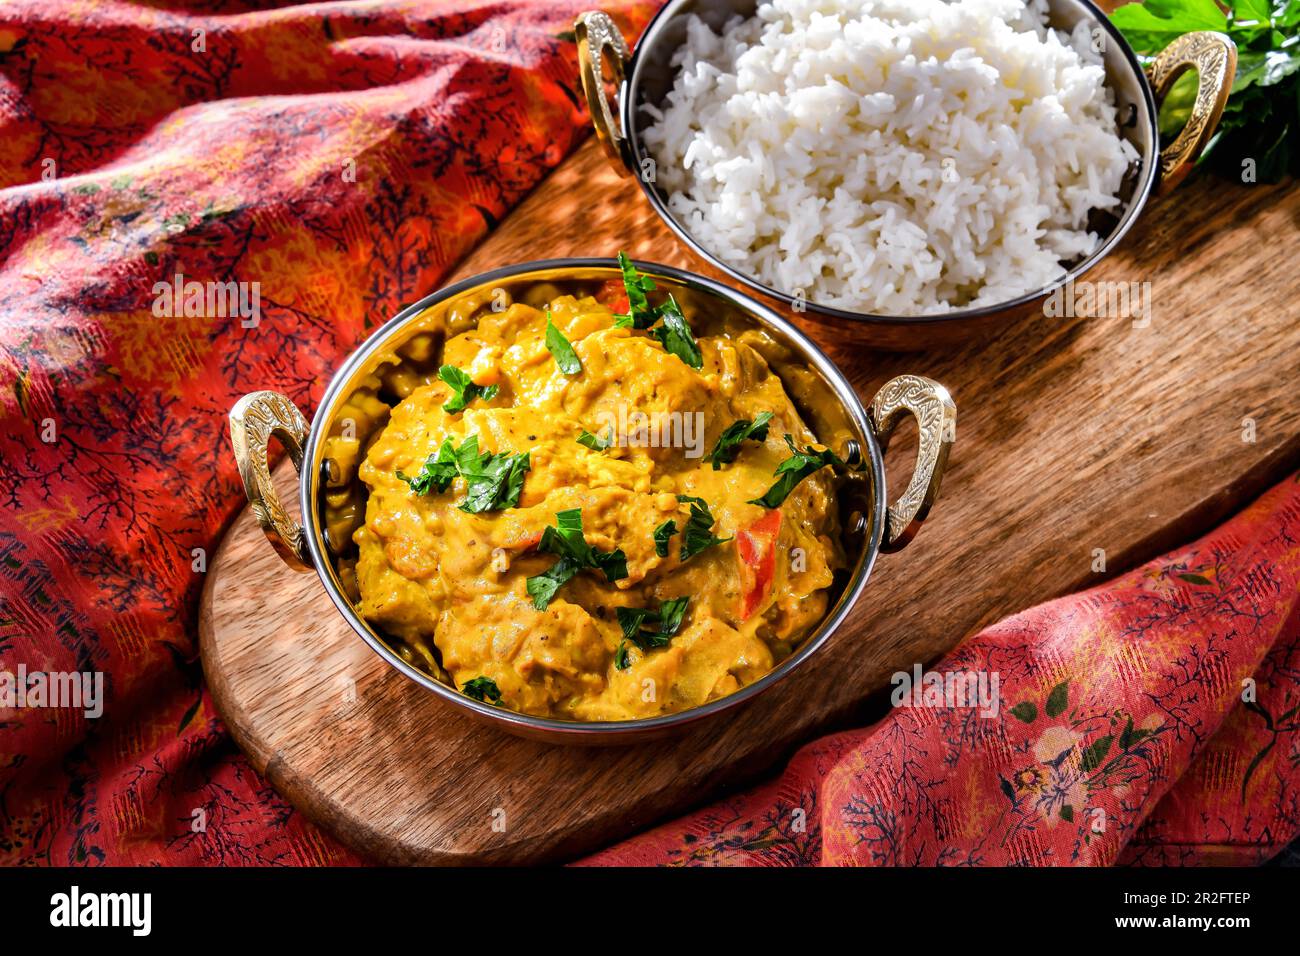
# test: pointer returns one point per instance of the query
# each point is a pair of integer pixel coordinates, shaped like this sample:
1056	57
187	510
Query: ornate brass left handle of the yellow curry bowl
254	421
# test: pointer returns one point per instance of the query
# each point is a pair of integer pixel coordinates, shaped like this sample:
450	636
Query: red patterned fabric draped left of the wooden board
344	157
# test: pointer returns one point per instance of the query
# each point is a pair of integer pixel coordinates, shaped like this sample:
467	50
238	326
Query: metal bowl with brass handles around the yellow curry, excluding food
820	391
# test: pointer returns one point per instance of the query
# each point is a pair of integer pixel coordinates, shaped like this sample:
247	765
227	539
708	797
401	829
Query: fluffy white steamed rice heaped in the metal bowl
891	157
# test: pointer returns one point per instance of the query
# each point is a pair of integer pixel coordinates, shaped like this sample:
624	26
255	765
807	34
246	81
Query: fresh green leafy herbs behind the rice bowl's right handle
1262	123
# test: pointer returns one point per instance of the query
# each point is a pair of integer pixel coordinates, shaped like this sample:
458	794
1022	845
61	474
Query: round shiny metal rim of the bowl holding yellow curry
575	732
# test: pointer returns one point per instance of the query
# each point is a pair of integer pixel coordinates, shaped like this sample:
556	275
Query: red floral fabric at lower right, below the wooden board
1150	721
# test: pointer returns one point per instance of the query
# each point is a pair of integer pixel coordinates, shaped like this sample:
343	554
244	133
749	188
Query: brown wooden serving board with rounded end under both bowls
1073	435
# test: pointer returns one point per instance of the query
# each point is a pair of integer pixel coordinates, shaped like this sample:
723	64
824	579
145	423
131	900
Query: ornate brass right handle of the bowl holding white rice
1214	57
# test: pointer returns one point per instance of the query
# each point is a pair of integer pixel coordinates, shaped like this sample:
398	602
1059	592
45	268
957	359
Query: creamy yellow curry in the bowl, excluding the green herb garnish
453	586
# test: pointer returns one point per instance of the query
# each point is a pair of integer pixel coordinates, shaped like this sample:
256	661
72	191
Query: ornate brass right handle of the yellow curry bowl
937	423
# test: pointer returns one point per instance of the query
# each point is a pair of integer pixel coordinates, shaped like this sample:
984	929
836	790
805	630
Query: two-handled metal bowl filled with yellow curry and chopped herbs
593	499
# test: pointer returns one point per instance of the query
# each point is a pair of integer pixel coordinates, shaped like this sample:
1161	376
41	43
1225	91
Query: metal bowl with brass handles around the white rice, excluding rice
645	76
